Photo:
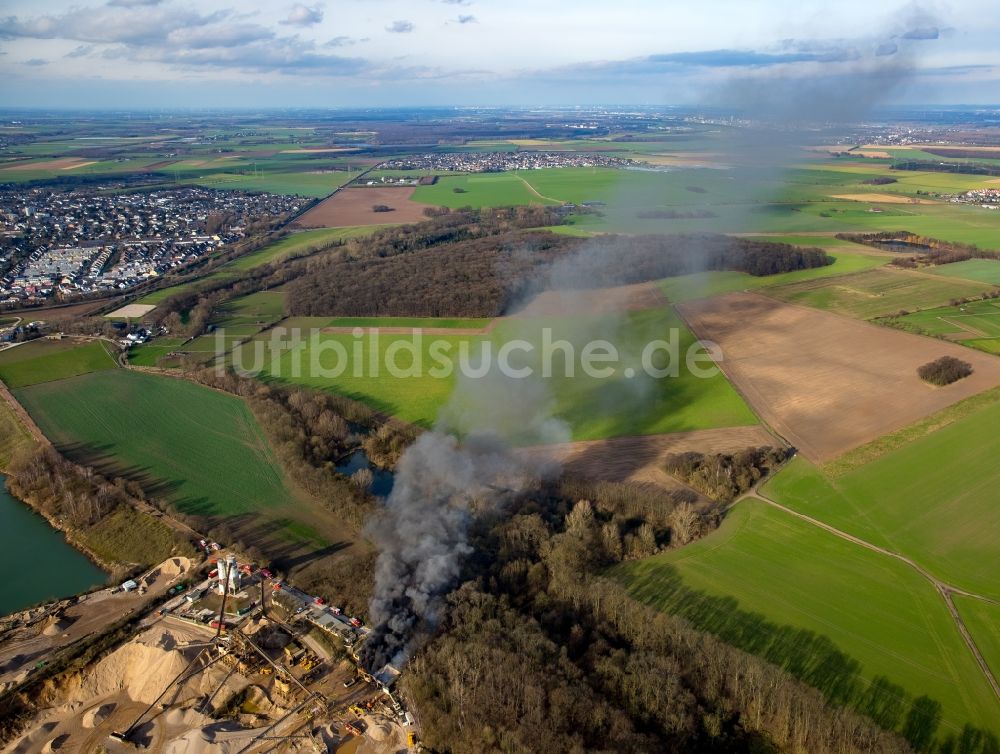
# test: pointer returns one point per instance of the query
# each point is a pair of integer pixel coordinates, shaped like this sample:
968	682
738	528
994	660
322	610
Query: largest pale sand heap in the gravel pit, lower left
142	670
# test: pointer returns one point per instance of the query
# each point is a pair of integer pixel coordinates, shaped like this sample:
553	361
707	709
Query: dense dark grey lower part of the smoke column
462	469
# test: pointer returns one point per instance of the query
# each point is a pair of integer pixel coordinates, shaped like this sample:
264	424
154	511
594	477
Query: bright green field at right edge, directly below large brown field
932	499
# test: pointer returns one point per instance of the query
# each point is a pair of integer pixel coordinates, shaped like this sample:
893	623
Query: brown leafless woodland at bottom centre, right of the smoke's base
540	651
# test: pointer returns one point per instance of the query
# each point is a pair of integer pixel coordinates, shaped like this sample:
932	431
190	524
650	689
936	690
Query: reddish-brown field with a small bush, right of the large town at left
353	206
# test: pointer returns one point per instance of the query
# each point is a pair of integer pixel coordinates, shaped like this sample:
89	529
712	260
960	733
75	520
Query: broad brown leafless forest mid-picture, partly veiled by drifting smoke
470	273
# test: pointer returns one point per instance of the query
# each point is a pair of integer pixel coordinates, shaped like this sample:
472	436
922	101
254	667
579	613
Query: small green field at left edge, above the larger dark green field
45	360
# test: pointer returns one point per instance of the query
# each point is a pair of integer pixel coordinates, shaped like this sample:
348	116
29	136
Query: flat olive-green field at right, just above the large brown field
875	293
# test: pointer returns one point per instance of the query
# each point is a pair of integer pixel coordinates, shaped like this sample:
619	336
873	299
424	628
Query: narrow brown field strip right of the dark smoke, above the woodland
639	459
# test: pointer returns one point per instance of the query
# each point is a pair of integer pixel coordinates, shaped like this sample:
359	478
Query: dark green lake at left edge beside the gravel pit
36	562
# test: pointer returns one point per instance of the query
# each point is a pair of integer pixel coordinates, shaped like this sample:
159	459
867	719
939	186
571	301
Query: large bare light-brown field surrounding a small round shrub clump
824	382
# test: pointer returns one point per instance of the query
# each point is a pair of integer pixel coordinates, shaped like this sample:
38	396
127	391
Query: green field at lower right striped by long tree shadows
862	627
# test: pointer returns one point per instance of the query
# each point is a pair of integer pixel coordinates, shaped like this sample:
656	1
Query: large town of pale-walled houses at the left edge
59	244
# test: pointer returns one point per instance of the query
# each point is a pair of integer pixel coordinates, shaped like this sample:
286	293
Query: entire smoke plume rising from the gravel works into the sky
465	466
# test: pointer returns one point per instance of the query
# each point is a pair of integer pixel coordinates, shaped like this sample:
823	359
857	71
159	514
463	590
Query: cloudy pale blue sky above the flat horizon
384	53
